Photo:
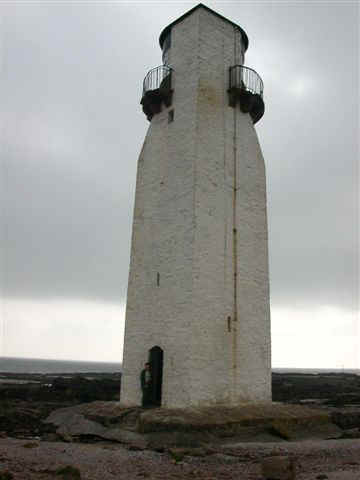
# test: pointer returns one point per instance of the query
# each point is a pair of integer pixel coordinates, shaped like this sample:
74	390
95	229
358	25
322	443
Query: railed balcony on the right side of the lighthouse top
246	89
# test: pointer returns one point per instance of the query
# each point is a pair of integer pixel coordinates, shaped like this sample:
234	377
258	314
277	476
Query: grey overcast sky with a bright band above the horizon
72	129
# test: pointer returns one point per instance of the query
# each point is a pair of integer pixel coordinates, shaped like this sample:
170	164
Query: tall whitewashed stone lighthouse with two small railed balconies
198	292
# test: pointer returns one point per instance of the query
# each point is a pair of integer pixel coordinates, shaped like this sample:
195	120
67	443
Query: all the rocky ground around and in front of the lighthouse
40	439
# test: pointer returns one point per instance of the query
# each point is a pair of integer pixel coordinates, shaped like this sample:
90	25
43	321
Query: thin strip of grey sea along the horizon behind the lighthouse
37	365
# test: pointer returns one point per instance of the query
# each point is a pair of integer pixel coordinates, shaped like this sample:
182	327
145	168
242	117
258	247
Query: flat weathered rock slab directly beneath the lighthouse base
159	429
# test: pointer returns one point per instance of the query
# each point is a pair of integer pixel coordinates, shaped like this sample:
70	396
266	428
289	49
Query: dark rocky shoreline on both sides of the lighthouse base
26	400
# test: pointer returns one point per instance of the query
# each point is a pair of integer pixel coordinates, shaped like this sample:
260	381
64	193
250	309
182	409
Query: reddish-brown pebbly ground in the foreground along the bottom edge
40	460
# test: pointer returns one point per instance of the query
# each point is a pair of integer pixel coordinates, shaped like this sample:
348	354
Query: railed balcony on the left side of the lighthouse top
157	90
